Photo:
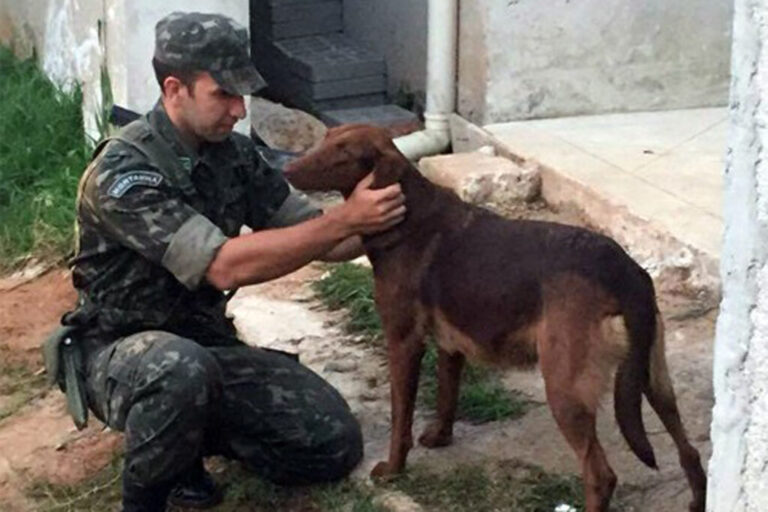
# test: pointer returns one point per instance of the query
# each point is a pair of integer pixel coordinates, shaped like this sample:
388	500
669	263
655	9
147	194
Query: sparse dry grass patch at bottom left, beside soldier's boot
97	494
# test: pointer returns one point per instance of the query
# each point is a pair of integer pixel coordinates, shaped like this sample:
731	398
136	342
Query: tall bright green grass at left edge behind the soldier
43	152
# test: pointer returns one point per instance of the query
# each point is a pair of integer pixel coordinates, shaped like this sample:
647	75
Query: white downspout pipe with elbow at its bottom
442	35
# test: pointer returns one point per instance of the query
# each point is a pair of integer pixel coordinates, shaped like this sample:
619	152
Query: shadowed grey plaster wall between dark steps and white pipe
398	30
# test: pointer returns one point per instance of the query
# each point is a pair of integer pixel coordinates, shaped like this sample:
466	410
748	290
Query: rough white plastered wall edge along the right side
738	472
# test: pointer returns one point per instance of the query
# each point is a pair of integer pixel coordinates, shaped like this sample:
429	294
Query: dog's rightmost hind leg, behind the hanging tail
661	396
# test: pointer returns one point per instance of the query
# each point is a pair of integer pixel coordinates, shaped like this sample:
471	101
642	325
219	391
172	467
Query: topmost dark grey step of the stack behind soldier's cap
278	20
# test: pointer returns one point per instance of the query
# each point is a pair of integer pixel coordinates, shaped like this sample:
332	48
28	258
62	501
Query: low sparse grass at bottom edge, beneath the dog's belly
490	487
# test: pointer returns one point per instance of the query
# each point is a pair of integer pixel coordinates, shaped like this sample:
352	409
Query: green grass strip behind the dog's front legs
482	396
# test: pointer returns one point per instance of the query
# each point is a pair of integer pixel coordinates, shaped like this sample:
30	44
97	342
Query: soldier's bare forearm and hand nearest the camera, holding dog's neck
268	254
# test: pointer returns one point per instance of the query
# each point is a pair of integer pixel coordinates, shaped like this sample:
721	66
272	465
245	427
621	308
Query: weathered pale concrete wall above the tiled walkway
522	59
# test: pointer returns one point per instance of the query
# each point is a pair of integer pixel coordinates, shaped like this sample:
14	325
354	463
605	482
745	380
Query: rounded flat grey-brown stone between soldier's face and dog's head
285	128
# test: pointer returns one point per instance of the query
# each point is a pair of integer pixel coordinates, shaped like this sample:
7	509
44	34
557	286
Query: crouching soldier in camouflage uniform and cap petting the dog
159	214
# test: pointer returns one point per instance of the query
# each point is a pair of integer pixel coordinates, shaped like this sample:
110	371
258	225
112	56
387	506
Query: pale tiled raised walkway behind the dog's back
664	167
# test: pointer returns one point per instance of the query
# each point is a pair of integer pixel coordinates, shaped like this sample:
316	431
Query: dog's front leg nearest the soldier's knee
404	362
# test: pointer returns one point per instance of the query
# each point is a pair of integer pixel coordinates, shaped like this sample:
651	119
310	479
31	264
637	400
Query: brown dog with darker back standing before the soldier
511	293
